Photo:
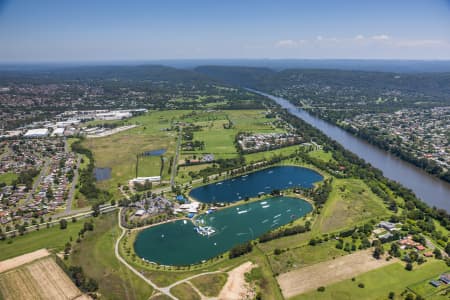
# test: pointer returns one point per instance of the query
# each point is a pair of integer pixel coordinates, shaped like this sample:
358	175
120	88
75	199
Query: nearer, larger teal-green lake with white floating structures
177	243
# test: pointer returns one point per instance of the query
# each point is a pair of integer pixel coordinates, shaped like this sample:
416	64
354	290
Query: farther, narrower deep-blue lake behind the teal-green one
255	183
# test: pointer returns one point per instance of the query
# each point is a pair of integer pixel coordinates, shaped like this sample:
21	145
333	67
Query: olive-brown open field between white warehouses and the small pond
119	151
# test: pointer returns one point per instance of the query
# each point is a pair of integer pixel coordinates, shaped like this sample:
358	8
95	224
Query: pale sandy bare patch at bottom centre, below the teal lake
236	287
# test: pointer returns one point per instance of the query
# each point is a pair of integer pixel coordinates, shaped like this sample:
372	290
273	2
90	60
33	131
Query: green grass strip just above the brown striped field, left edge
50	238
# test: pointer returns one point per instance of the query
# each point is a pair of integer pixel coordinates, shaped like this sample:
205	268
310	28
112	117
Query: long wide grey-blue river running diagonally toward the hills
430	189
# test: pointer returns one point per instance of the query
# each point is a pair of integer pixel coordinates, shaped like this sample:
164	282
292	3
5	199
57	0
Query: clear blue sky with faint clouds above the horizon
100	30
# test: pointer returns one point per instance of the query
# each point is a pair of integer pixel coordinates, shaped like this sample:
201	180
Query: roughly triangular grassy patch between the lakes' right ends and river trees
351	202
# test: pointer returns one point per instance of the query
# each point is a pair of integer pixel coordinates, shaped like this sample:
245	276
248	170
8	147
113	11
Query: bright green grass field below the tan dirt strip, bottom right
378	283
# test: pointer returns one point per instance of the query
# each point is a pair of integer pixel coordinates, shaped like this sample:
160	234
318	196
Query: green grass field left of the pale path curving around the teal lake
95	254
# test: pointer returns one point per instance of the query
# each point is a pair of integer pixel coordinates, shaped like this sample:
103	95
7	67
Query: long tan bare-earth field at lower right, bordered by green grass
328	272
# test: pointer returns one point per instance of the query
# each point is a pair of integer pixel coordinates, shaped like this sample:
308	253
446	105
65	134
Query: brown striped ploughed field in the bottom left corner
41	279
